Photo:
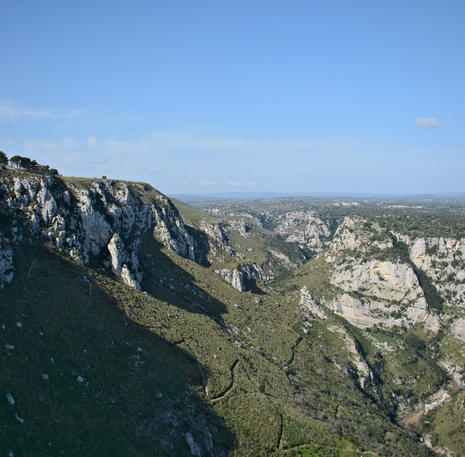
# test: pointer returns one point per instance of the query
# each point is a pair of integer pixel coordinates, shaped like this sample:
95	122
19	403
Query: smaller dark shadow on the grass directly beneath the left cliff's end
165	280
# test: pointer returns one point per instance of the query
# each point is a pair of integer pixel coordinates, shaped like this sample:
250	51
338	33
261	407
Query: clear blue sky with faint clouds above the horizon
239	96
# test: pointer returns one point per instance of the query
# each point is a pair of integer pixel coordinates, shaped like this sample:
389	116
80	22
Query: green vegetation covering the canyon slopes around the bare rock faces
97	368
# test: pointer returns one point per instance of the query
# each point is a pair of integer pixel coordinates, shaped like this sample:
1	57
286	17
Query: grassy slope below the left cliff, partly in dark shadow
191	351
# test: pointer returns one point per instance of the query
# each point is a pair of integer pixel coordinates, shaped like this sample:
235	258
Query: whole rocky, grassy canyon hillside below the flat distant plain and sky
124	332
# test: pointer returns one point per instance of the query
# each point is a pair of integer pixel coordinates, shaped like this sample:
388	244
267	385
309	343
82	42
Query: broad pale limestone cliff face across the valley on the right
371	281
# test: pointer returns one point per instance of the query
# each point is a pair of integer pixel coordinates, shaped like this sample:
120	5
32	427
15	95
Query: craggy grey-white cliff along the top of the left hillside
91	219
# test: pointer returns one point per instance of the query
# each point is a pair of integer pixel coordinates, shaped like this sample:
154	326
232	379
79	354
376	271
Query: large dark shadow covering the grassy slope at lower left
87	379
